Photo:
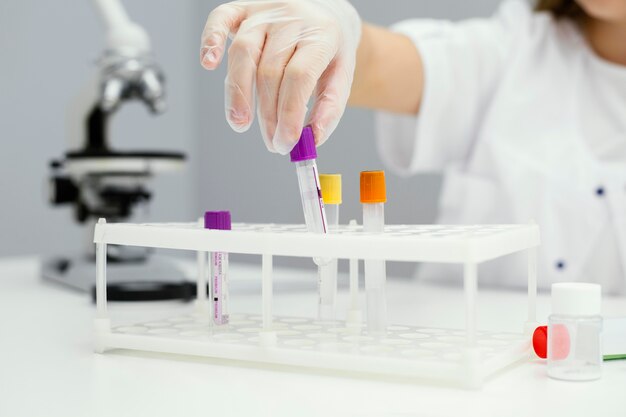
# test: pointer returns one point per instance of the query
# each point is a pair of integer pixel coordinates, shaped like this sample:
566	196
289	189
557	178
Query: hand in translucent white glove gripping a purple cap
291	50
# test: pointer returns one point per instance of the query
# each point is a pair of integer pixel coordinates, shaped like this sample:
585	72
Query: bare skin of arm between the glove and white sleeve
389	74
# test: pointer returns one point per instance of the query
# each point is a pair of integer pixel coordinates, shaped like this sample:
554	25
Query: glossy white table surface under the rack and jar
47	367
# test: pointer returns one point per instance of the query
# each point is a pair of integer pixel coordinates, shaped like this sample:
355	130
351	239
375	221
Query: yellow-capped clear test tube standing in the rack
327	274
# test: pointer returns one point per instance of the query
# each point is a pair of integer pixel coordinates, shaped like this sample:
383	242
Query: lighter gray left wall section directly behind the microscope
47	51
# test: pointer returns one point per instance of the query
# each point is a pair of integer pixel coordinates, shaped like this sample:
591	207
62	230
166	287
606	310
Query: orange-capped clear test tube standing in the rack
373	198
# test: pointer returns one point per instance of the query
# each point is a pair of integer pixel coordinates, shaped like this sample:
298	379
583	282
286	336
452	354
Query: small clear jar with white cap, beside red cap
574	332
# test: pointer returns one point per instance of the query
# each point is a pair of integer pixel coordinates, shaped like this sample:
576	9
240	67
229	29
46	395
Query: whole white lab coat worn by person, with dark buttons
526	123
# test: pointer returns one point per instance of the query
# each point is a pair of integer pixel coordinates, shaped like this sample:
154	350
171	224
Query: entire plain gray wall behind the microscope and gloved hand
47	50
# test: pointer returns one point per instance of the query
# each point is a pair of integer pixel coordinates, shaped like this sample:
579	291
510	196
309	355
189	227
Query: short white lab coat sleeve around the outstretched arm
463	63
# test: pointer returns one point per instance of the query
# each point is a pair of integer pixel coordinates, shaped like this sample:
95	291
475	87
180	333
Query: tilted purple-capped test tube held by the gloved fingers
304	155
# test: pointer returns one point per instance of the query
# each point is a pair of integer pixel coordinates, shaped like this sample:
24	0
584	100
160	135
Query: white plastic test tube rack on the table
462	356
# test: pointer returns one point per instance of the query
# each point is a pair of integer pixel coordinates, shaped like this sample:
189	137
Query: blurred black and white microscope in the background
100	181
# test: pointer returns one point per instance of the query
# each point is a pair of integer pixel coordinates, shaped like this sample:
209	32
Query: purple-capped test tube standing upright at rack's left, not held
219	220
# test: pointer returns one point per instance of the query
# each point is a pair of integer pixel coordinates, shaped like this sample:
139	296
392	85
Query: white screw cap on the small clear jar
576	299
